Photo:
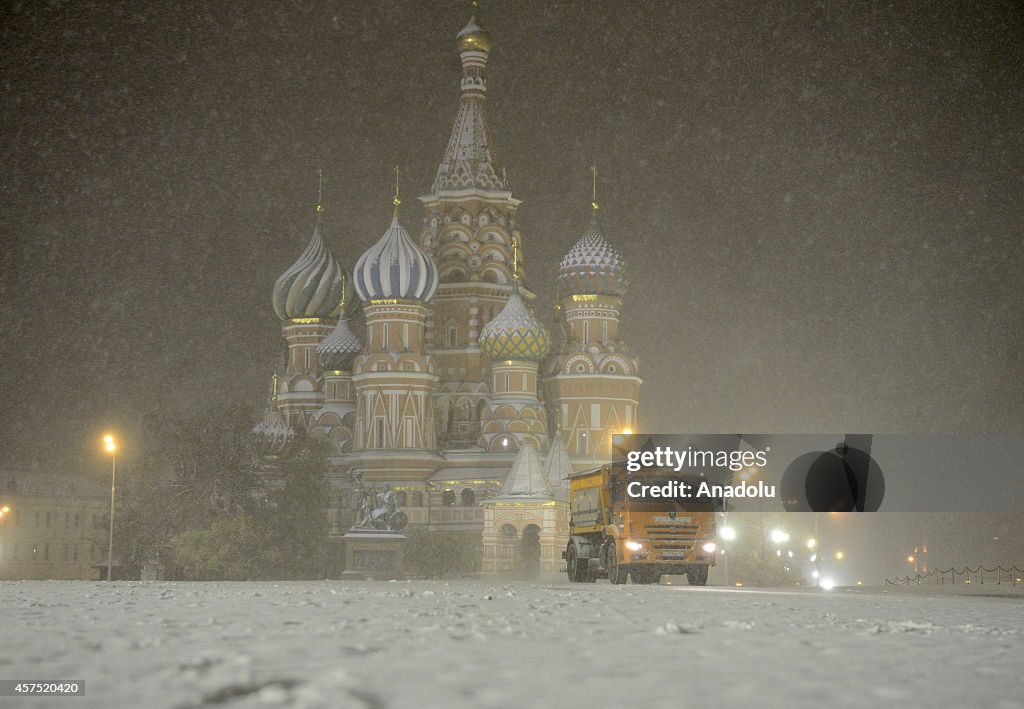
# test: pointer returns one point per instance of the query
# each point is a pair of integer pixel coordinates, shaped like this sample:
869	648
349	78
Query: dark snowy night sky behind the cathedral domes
821	204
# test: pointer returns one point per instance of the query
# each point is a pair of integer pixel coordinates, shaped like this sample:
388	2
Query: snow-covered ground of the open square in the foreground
475	644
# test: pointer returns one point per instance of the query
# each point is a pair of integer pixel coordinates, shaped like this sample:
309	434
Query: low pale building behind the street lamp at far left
53	527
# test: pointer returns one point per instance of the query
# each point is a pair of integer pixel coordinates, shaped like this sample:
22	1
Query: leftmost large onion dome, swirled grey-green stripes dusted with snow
312	287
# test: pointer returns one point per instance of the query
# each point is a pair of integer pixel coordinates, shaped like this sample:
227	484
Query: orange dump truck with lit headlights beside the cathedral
617	535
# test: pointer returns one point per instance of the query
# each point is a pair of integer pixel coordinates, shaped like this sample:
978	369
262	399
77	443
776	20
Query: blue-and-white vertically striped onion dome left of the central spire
396	268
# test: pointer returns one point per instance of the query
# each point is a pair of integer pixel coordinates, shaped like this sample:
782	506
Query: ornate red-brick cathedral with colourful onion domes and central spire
426	368
